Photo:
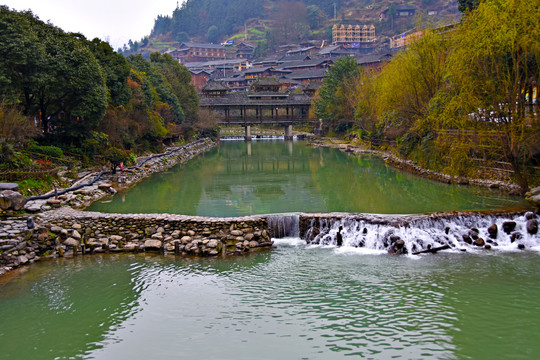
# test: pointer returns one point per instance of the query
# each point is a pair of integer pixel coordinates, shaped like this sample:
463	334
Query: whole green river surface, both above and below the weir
292	302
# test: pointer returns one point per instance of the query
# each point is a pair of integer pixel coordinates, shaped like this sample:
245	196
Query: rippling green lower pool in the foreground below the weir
294	302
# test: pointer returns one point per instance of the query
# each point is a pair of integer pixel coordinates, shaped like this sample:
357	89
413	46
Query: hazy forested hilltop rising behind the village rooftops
219	20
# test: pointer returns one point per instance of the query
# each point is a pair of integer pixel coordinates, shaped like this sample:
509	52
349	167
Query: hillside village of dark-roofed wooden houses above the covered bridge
304	65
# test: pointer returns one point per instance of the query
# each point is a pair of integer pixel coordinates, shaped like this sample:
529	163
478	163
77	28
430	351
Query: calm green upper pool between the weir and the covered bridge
264	177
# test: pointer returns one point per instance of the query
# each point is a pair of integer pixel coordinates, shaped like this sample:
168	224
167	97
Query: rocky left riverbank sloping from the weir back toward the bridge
26	238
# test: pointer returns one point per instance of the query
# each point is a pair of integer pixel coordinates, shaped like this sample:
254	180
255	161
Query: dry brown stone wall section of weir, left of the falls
186	235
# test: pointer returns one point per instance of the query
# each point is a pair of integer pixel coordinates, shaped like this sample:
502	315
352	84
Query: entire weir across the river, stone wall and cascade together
69	232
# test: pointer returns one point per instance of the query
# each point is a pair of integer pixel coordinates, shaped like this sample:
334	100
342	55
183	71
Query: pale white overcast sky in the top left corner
113	20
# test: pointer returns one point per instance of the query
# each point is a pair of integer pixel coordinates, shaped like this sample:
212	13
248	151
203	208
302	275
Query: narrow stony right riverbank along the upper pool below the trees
409	166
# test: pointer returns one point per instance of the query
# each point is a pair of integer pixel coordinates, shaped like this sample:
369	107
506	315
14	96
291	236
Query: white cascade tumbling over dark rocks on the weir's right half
417	233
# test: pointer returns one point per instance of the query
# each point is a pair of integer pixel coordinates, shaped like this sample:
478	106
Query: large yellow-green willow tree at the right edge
494	64
